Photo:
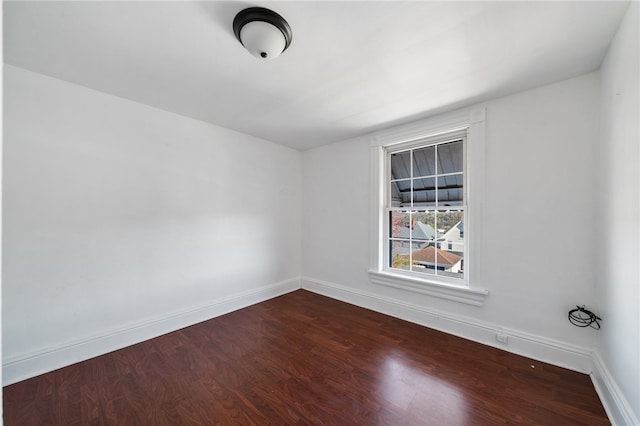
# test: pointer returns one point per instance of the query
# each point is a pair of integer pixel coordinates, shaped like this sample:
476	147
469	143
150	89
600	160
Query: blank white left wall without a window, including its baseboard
123	222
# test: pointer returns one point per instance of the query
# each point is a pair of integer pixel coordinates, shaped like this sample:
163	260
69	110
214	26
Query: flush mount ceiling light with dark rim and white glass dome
264	33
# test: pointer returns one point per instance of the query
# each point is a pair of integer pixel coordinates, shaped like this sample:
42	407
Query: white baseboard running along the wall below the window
519	342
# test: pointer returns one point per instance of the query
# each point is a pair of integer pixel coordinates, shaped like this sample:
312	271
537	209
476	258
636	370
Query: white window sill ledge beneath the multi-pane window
469	296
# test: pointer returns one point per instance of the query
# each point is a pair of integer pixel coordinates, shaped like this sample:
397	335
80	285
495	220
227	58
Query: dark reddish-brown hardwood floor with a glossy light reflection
305	359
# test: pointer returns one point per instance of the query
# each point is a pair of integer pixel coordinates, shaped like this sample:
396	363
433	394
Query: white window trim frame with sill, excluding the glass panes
466	291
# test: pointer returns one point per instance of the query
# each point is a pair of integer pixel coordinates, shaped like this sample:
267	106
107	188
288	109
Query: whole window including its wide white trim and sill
427	189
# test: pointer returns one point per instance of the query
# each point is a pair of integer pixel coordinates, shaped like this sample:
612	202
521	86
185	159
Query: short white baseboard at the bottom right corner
613	400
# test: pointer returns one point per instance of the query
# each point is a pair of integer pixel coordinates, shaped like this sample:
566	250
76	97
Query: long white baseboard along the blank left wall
17	368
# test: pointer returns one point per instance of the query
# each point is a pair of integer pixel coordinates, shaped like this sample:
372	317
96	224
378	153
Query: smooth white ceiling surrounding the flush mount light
353	67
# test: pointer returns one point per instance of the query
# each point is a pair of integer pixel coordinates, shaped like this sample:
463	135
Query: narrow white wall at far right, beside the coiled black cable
618	345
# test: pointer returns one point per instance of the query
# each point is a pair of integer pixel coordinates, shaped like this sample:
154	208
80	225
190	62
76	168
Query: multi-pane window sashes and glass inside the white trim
425	206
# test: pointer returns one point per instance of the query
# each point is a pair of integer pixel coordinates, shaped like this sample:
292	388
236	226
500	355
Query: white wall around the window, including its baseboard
540	162
